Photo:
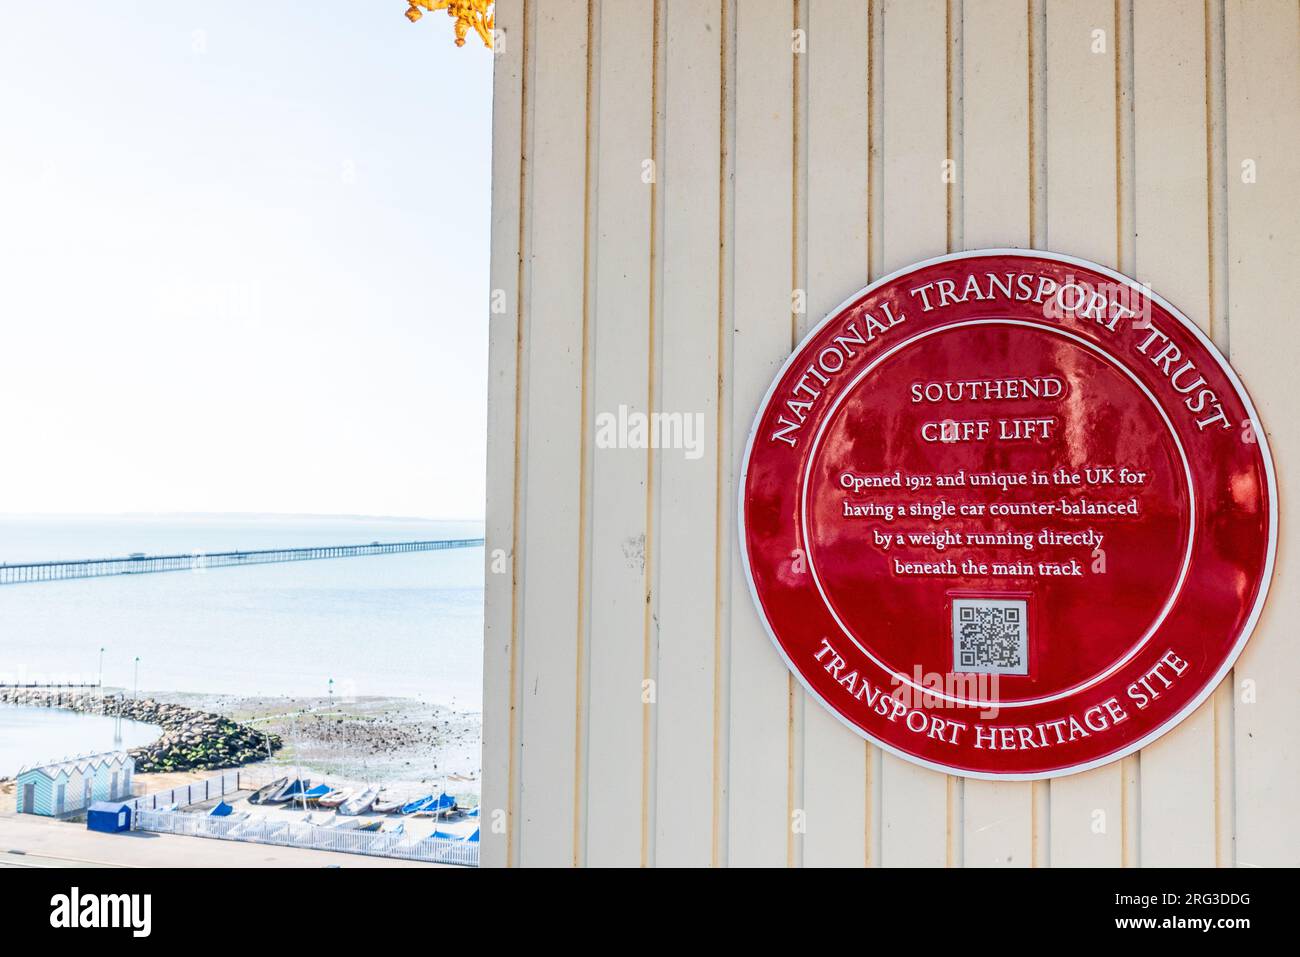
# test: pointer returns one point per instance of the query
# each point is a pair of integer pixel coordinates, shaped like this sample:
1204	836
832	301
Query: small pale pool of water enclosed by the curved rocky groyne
41	735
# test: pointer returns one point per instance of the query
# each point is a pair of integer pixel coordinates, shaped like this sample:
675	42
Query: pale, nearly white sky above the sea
244	259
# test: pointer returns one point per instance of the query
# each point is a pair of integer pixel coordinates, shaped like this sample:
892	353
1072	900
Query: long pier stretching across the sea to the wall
201	561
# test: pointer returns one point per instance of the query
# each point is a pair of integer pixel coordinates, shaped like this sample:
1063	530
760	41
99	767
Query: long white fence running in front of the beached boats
297	834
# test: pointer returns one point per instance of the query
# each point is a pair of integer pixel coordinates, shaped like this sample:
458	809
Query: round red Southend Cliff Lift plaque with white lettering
1008	514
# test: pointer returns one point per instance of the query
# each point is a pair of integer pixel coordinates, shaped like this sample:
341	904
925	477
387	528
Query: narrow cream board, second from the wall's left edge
553	523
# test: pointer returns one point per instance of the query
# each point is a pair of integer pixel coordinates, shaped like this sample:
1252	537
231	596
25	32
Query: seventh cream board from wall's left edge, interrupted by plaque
915	86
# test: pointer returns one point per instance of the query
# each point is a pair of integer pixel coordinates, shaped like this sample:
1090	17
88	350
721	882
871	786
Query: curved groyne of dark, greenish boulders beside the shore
192	741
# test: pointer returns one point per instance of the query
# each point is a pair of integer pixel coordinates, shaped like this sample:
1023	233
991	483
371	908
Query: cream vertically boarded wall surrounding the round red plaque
665	174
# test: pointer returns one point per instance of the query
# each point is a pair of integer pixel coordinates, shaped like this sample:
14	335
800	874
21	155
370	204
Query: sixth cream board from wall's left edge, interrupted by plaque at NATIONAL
835	760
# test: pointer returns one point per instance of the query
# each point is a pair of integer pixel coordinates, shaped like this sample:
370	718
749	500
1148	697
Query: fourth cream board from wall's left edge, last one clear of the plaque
688	493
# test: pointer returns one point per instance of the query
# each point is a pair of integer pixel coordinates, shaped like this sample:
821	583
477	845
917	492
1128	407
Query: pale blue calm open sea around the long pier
406	626
